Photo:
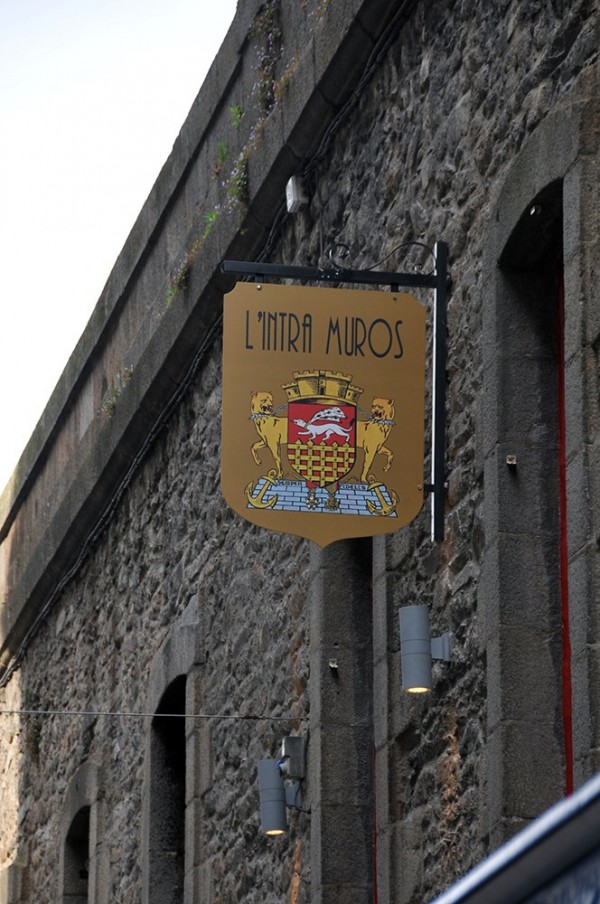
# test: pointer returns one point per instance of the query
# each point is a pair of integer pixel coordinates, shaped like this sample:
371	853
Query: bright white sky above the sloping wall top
92	96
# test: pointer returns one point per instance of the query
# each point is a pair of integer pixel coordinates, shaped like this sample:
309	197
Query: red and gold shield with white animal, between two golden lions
321	440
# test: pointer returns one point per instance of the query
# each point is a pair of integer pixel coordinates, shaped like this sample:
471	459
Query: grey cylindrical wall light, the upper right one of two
418	648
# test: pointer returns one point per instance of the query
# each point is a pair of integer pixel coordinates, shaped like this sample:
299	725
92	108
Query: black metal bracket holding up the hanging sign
437	280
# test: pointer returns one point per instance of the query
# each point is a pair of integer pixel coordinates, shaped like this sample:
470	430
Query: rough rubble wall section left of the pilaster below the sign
171	551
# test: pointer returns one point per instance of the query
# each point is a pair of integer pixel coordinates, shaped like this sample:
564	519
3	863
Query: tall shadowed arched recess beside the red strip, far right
527	522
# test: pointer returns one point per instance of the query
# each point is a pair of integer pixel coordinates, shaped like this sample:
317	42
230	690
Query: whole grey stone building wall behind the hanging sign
122	570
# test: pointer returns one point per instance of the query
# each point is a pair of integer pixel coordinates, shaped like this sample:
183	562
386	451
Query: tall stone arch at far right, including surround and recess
547	209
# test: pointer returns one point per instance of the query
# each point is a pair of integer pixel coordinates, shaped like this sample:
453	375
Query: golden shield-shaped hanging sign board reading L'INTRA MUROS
323	409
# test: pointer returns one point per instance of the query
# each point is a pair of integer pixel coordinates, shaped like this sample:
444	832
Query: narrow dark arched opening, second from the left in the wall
167	790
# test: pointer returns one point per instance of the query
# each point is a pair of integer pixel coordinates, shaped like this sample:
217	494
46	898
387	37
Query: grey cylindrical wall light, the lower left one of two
279	786
